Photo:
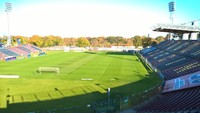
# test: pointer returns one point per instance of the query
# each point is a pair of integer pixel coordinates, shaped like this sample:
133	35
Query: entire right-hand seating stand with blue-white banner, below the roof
178	62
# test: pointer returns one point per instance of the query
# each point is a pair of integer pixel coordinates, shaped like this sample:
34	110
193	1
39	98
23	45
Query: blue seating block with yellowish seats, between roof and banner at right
174	54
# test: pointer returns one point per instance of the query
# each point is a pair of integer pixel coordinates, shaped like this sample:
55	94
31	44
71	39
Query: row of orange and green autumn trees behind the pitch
48	41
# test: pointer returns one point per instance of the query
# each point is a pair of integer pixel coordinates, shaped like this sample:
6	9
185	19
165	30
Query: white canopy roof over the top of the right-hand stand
176	28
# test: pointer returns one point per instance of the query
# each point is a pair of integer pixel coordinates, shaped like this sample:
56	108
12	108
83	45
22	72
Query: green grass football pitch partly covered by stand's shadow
83	78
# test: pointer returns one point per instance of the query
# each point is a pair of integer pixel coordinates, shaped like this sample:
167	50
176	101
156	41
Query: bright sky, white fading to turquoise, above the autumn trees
75	18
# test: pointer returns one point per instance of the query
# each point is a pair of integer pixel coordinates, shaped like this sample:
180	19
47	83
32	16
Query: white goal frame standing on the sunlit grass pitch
48	69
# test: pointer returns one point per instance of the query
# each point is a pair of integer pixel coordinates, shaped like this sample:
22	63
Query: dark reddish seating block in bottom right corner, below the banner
177	101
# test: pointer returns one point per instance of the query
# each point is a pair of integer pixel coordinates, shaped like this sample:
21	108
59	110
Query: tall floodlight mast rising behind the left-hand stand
8	9
